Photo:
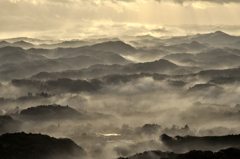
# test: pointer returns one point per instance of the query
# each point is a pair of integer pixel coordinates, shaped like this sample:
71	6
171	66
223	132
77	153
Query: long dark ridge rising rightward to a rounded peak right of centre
159	66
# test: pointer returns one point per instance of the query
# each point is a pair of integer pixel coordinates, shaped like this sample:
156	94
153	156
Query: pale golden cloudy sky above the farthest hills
82	18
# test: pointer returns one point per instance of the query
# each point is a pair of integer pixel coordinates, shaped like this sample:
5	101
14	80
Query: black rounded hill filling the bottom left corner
37	146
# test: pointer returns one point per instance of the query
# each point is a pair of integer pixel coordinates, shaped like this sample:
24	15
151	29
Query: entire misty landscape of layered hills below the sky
126	97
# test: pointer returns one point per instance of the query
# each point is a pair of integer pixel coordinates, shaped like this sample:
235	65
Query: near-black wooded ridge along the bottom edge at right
230	153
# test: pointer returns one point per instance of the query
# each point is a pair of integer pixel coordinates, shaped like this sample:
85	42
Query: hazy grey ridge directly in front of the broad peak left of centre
68	54
